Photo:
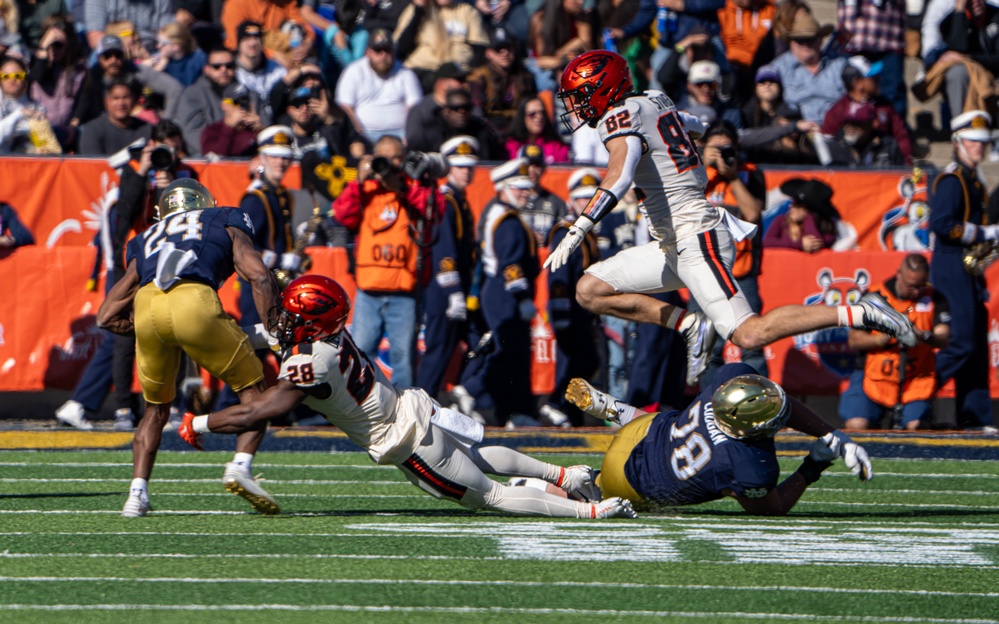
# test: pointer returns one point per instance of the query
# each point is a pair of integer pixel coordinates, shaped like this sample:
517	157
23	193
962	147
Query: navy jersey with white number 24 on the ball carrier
192	245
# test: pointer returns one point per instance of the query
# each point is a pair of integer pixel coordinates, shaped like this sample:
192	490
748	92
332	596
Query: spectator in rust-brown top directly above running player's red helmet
559	32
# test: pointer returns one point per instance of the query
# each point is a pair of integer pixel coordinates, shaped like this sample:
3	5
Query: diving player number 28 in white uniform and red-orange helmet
435	447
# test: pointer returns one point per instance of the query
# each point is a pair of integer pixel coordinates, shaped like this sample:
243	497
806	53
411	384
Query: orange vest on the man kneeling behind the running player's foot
881	367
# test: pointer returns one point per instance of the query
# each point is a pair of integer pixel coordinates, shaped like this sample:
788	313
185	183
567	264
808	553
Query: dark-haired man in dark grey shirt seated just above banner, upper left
116	128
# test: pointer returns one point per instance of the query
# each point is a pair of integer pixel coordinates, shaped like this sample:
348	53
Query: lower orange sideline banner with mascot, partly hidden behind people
47	331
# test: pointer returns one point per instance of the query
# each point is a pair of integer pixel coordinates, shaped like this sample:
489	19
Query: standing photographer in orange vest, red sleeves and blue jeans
393	207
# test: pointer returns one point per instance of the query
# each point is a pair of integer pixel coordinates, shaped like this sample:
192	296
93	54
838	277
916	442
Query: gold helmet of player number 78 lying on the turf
750	407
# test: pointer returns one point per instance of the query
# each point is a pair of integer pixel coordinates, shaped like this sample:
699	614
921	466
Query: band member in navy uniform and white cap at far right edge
959	218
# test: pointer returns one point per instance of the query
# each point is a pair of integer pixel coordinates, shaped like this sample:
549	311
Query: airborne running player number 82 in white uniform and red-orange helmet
650	145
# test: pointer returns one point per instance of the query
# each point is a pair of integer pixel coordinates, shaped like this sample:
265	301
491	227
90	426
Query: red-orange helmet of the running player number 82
591	84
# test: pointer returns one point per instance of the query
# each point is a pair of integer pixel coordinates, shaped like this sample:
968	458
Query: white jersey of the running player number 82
670	176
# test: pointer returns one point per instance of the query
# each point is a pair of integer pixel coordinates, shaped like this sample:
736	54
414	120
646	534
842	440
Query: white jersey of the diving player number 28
354	395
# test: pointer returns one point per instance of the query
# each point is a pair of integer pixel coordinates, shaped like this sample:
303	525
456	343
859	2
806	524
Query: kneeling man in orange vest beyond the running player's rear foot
877	383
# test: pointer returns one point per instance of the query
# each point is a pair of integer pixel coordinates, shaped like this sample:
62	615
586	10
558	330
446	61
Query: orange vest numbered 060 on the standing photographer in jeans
386	254
